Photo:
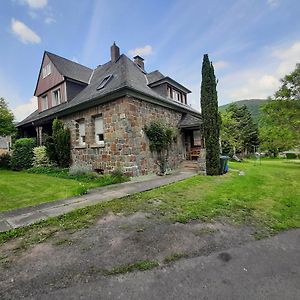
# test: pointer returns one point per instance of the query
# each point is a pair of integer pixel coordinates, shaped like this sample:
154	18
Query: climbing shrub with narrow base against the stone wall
161	137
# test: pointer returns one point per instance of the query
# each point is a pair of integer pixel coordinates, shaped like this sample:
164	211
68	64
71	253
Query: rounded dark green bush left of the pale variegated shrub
22	155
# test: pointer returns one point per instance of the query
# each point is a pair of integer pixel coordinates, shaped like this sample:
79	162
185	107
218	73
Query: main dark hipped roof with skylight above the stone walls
126	76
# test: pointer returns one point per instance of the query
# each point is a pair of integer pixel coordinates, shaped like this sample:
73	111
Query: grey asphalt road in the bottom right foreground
266	269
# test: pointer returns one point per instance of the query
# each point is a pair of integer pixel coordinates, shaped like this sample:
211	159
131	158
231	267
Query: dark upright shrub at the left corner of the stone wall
61	138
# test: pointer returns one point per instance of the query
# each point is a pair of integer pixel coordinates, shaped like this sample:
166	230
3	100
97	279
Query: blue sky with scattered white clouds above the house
252	43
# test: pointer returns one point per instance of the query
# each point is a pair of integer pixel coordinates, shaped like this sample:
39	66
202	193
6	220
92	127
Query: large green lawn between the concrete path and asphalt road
267	196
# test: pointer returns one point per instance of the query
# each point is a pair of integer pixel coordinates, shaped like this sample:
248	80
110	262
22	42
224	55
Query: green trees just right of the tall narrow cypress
238	131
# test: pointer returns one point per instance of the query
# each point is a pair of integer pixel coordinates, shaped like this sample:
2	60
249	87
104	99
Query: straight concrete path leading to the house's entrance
28	215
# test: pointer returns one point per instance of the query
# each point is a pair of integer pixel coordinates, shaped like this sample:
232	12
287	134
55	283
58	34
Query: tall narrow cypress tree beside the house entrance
210	117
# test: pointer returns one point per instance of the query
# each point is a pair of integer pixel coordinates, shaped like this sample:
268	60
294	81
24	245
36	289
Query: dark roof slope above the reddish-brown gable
69	68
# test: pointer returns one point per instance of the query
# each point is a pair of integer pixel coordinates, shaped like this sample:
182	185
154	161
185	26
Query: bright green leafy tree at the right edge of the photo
280	120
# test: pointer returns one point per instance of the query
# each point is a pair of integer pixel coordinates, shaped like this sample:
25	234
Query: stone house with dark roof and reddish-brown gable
106	109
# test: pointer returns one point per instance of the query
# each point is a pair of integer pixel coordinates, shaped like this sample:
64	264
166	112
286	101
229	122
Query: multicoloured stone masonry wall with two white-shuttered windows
126	145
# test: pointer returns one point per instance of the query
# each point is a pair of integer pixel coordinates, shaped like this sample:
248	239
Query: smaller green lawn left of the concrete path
21	189
